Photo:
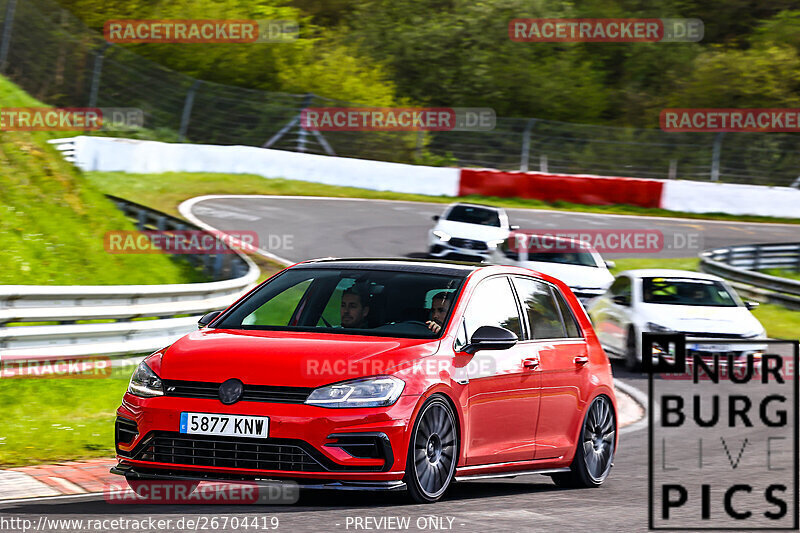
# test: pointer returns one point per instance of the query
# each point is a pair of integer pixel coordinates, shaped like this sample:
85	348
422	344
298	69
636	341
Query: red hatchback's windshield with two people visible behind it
361	302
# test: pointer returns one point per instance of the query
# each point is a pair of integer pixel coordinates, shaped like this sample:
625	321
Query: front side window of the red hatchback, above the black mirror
493	304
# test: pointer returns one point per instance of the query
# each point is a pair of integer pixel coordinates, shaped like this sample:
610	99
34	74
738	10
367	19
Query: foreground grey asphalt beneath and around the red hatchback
526	503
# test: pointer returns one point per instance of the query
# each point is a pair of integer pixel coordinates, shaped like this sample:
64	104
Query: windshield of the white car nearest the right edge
686	291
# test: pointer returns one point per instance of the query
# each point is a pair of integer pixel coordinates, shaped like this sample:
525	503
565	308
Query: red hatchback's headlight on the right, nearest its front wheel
367	392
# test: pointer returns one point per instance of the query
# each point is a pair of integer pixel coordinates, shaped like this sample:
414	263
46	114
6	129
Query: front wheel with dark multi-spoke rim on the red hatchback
432	452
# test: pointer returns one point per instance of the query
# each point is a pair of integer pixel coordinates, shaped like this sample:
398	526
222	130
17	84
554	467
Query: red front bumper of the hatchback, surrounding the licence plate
305	442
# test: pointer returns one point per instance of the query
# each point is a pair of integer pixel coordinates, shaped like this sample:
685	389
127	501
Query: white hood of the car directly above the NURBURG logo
698	319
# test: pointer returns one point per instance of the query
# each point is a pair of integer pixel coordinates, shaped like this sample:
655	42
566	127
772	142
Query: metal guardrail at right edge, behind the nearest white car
740	263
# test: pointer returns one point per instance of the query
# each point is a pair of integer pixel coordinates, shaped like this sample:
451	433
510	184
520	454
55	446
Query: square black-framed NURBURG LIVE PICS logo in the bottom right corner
723	433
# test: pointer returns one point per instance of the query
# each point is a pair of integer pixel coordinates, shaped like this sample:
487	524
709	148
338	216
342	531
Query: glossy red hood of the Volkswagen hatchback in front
283	358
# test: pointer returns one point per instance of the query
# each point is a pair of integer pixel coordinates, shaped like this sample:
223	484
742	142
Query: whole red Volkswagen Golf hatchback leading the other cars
381	375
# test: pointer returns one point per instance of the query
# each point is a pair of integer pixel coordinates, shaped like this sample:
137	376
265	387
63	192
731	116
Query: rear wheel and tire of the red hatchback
594	452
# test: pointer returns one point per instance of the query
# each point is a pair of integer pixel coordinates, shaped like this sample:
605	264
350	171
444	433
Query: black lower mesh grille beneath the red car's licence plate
230	452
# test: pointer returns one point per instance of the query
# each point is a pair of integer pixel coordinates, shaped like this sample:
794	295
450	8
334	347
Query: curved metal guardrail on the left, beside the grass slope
136	319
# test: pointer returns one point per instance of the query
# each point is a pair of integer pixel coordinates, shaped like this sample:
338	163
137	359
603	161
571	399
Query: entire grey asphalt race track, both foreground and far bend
321	228
